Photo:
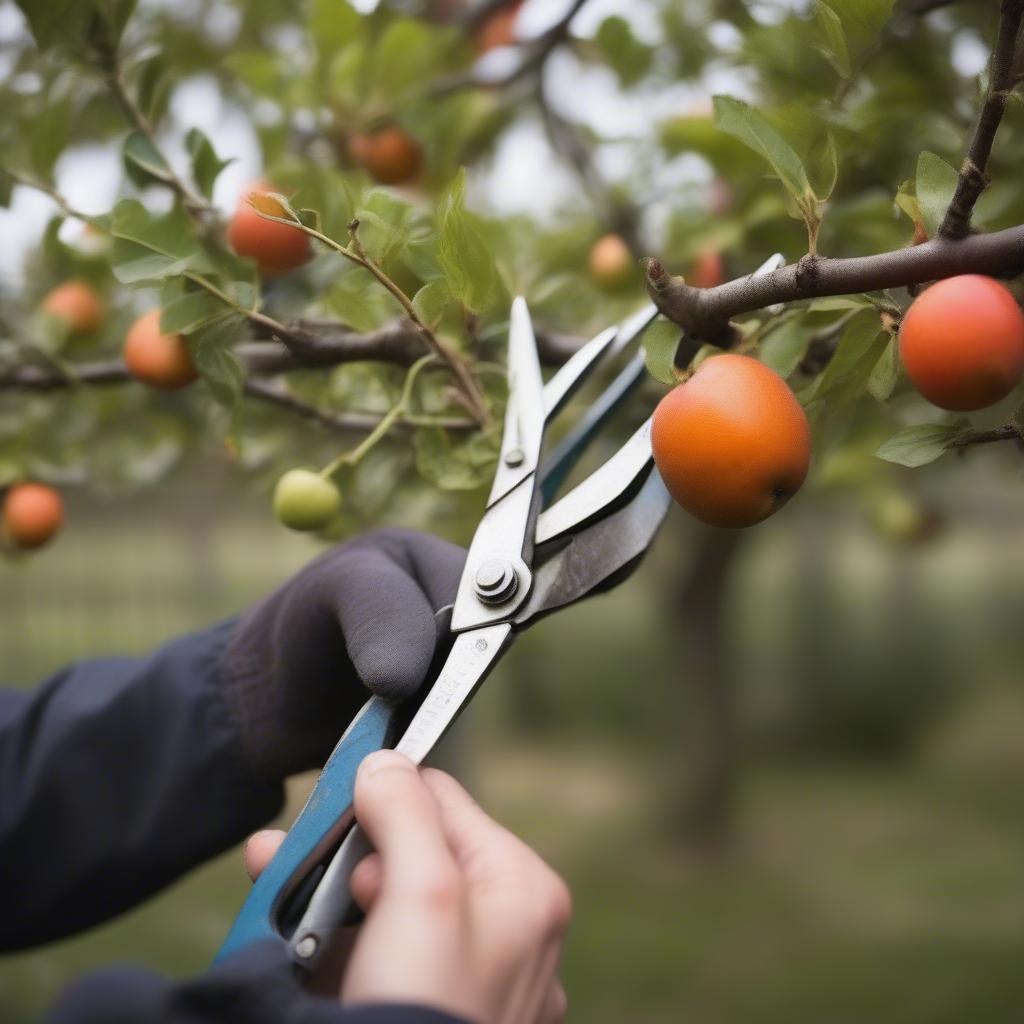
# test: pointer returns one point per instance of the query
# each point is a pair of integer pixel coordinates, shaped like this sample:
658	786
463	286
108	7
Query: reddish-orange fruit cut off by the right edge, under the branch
962	343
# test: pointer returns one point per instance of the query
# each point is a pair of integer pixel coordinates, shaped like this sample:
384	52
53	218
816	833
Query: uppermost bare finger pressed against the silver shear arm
403	820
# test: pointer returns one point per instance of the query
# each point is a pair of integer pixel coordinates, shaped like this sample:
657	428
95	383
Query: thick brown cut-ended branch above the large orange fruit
705	314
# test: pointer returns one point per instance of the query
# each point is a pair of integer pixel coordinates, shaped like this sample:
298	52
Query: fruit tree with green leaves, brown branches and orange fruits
417	164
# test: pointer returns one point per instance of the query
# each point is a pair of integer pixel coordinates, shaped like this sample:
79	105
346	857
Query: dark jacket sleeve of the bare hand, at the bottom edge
255	987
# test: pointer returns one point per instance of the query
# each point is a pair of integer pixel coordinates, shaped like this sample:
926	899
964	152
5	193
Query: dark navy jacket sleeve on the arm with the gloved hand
116	778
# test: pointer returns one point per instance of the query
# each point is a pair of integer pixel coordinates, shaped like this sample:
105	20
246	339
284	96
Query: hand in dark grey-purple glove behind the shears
359	620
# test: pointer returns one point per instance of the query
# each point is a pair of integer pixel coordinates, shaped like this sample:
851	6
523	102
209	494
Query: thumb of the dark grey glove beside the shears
388	622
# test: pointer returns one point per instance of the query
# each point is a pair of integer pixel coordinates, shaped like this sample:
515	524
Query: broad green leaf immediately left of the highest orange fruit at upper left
148	248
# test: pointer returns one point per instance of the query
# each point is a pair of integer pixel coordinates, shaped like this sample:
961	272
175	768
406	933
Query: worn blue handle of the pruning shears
316	830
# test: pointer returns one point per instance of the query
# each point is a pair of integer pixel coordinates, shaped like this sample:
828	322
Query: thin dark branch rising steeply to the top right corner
973	178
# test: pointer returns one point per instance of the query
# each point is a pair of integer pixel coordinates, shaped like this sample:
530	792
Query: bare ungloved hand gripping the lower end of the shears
461	915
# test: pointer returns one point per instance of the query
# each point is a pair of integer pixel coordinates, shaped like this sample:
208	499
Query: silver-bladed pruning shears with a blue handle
529	558
